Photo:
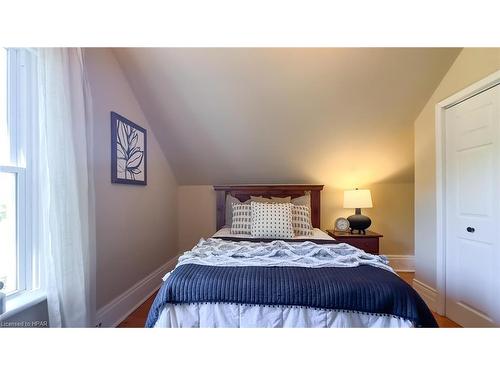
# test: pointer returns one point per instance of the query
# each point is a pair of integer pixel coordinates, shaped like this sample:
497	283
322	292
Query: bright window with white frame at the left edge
18	266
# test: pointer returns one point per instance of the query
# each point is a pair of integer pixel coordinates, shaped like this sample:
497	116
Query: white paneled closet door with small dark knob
472	210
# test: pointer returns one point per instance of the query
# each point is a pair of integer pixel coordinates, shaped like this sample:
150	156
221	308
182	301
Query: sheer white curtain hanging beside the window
63	201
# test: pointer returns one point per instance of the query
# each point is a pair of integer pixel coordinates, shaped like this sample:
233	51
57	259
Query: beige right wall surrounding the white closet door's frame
471	65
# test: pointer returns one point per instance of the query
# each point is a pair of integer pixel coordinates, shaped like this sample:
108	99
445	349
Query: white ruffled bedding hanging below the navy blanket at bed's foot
227	315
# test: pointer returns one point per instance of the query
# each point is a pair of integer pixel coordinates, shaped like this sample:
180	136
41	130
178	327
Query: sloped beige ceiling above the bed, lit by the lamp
338	116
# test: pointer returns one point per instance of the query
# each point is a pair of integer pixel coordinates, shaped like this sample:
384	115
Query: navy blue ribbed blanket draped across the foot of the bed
363	289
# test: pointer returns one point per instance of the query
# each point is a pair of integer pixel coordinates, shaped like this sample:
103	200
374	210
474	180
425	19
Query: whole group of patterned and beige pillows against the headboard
271	217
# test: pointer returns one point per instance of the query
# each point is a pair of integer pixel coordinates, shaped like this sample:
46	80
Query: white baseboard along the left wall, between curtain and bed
122	306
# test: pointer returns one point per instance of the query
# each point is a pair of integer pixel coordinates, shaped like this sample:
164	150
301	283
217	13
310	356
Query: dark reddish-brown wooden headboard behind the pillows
243	192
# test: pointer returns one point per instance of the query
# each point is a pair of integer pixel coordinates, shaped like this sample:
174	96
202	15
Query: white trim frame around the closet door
474	89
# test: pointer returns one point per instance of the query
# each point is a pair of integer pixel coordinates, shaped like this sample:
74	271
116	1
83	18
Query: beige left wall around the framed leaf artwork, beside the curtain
136	225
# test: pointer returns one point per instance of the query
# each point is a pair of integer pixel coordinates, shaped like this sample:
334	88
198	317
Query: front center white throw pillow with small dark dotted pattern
271	220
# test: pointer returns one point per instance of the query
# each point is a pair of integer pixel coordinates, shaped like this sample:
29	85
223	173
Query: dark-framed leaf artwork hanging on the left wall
128	151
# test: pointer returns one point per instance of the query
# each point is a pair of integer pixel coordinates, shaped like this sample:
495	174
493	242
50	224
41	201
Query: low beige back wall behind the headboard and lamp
392	214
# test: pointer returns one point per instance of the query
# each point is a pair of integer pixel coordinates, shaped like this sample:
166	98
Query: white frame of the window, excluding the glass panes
21	114
